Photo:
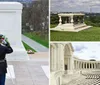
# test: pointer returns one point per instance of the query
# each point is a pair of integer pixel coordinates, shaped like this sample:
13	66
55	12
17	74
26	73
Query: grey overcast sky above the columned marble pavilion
75	5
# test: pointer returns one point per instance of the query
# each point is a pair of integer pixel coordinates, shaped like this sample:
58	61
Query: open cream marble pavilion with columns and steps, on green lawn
71	22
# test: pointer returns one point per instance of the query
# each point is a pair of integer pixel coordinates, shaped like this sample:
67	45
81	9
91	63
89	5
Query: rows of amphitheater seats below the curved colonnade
86	79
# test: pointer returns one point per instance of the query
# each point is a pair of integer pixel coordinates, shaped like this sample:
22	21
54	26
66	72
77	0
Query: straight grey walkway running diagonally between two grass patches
33	44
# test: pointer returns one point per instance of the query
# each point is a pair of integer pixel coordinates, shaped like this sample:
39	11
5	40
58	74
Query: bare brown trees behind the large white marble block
36	17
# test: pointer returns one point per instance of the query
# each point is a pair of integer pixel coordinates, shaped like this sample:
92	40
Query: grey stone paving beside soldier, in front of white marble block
29	72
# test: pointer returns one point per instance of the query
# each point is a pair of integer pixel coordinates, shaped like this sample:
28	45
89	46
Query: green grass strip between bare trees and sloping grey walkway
37	39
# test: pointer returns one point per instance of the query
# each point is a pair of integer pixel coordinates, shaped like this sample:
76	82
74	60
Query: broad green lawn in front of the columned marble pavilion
91	34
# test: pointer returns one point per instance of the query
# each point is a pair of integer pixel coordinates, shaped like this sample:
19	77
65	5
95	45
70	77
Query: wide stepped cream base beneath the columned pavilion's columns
71	27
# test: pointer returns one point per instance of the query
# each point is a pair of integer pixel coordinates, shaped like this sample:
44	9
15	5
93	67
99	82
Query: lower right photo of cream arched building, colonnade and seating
75	63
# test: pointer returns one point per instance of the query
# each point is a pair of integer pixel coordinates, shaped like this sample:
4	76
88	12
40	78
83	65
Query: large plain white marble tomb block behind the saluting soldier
10	26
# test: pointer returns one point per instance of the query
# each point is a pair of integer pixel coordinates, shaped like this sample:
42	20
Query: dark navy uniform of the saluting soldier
3	64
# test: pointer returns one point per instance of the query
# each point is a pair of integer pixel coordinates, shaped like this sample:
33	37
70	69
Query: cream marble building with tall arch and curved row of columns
62	59
